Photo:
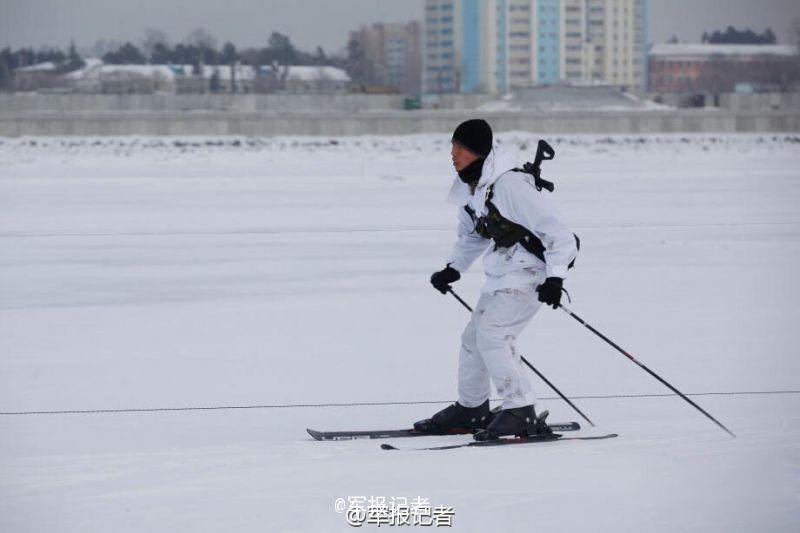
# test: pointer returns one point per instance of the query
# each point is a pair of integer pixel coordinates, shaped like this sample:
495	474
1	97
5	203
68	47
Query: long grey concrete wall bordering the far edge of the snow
393	122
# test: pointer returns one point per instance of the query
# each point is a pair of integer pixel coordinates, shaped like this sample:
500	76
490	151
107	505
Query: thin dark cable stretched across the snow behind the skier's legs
367	404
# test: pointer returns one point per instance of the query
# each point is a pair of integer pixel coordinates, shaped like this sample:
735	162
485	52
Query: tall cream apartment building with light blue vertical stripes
498	45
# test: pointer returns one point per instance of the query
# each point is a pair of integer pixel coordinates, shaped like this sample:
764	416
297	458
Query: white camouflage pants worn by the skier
488	350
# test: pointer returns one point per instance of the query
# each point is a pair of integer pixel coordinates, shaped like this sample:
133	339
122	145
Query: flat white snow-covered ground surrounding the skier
159	273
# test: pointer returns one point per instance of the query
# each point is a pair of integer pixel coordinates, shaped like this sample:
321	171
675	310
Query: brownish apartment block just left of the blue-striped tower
394	52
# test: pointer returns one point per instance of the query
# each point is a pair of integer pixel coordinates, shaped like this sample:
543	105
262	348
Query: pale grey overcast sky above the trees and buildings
318	22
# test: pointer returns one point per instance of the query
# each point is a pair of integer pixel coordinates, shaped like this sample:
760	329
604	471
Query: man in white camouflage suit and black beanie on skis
528	250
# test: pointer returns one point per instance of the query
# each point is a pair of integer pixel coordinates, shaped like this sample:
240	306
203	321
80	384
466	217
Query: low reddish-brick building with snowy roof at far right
720	68
